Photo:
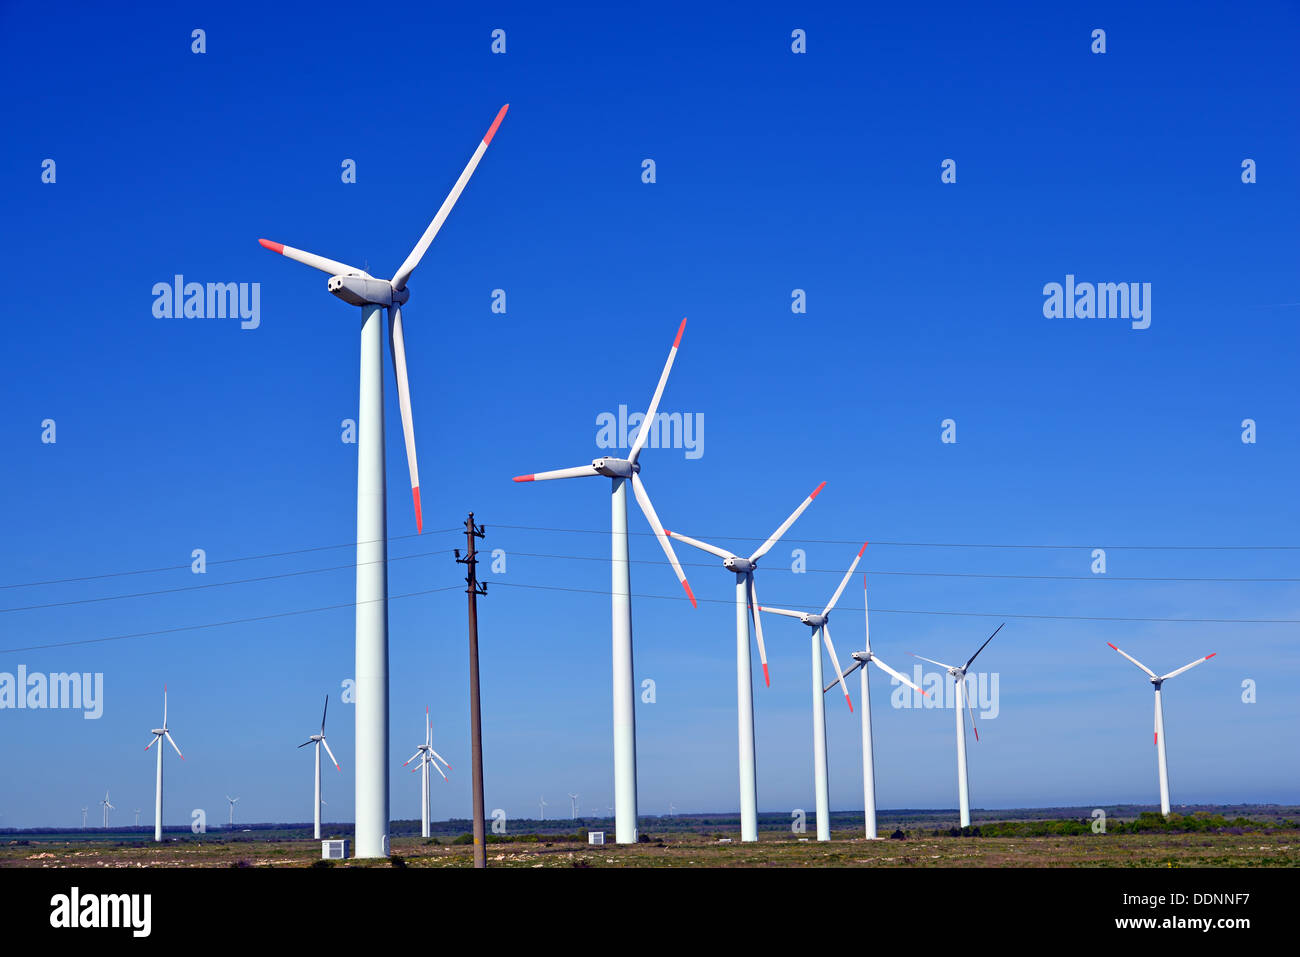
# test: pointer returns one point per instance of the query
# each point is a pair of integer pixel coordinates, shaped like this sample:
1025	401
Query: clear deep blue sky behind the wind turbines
774	172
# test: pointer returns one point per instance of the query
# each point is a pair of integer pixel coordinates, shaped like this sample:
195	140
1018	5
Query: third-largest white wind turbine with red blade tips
747	600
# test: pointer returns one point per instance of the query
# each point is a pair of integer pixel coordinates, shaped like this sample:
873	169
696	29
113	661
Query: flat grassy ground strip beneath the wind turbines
1276	850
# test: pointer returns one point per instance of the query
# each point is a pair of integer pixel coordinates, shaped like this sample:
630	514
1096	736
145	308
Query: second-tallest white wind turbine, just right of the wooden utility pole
621	471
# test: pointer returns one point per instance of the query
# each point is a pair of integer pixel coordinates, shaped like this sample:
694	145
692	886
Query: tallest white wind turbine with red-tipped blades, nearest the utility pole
358	288
